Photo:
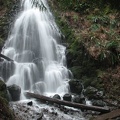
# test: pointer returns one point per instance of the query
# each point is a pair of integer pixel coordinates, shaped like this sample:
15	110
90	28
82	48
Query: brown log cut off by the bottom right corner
108	116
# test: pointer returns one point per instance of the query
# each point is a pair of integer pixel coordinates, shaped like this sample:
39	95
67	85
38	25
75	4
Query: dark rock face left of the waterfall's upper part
8	10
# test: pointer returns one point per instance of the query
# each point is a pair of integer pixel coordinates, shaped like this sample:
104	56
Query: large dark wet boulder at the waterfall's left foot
15	92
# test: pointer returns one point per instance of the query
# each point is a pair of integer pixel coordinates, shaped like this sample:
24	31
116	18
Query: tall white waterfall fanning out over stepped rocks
33	45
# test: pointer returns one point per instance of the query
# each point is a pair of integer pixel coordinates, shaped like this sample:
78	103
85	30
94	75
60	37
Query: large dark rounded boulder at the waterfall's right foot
75	86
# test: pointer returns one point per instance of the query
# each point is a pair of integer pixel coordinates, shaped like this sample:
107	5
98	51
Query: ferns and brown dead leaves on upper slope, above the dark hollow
101	22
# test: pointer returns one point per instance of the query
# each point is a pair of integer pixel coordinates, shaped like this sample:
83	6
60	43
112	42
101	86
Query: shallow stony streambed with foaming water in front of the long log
32	110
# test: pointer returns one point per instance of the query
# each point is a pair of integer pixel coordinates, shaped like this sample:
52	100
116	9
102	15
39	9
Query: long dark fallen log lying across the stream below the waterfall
66	103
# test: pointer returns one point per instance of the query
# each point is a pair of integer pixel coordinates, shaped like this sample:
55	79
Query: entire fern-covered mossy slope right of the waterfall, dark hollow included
92	34
